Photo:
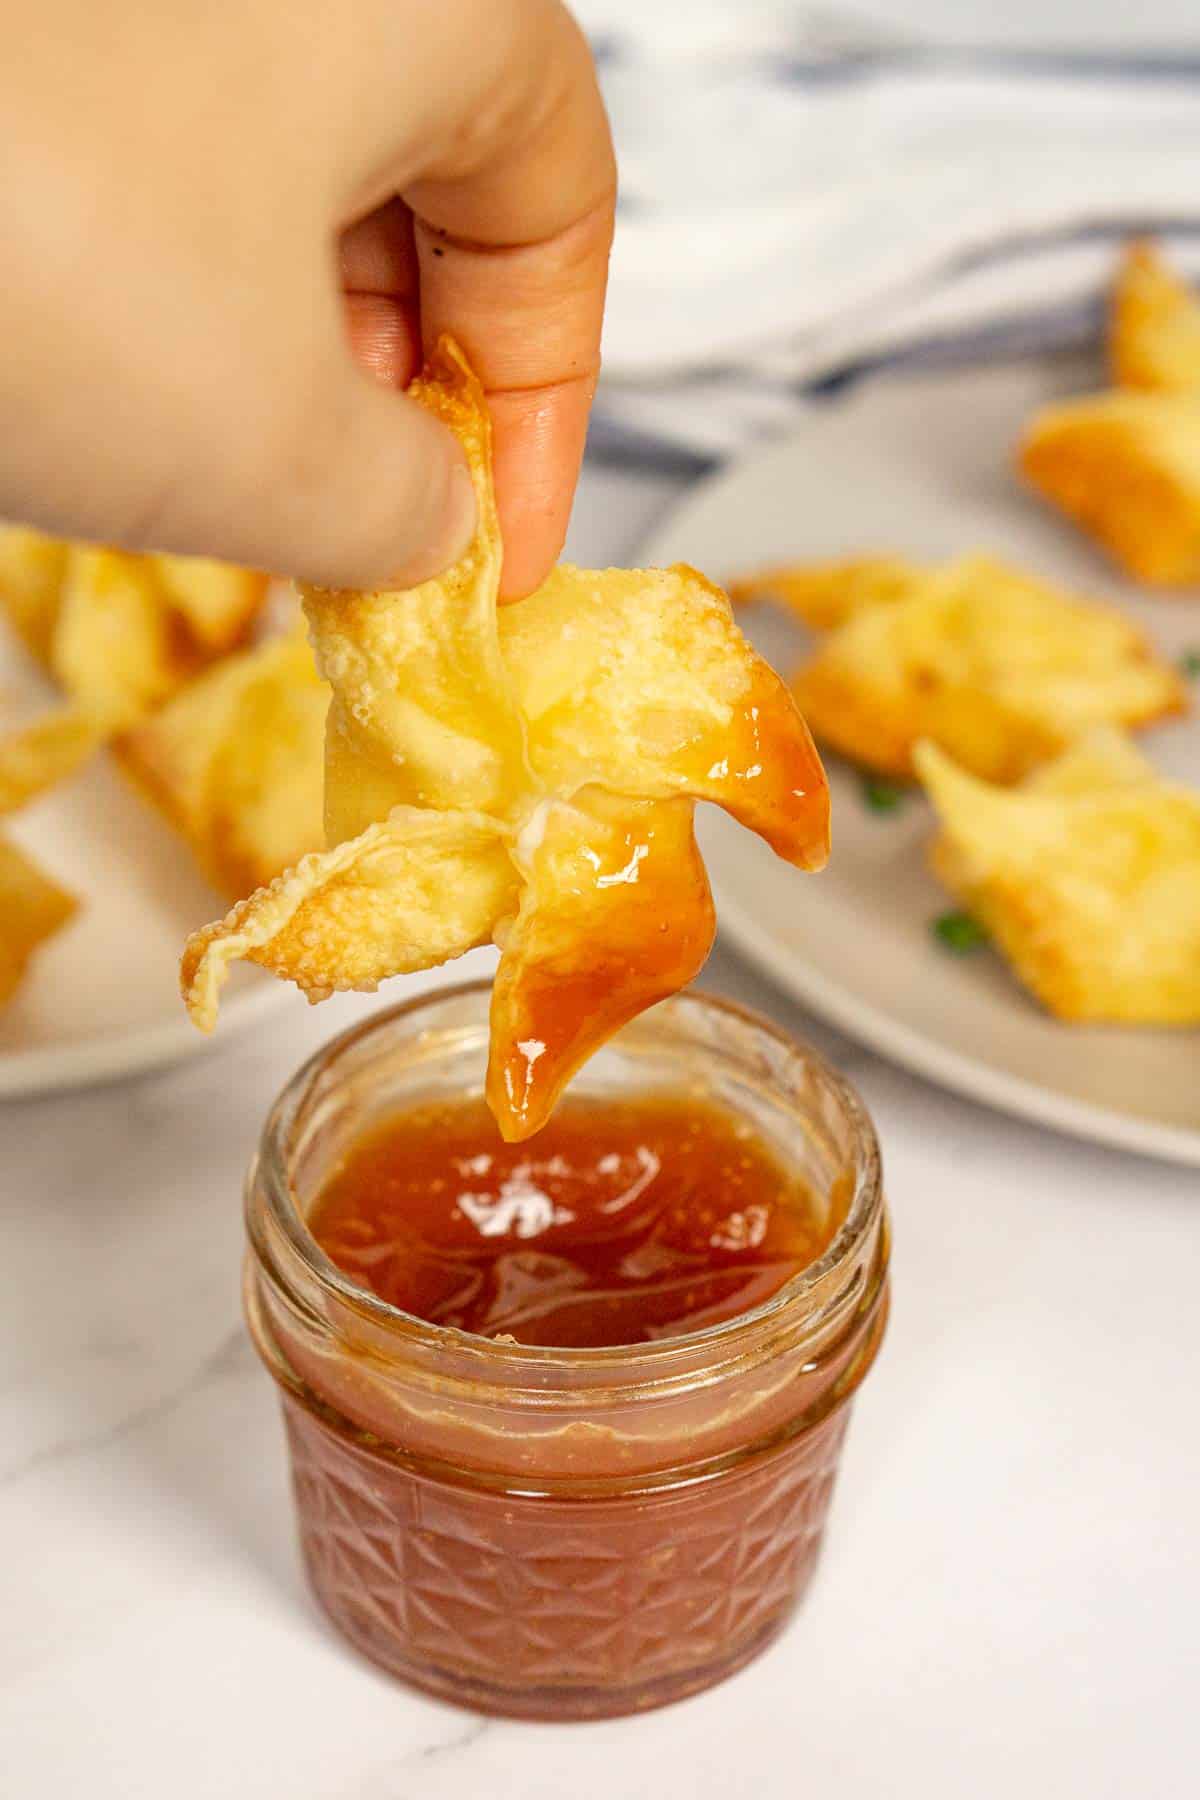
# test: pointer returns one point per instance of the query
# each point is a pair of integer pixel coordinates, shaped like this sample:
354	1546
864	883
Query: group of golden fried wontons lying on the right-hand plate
1012	701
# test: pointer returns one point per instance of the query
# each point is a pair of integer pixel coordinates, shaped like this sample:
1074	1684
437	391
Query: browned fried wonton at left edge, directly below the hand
120	634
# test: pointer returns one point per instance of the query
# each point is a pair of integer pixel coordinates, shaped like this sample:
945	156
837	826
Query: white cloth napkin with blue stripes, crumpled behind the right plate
801	199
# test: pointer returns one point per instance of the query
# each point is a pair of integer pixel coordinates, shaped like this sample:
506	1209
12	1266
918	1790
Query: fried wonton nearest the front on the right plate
1088	877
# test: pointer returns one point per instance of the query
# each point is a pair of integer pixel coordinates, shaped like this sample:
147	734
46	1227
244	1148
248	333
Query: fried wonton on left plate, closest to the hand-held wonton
237	762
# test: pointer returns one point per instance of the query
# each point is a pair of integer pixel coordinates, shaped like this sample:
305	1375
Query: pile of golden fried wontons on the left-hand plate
157	660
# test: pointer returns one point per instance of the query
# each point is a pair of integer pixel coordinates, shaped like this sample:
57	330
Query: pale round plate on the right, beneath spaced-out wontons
922	467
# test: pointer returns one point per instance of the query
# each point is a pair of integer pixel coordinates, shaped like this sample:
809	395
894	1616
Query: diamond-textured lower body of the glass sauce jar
548	1608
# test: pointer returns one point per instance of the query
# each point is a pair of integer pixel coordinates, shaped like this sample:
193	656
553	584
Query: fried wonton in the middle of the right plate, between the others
996	667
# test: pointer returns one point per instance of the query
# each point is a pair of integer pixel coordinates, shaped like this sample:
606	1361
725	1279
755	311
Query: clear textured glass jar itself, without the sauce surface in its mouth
564	1534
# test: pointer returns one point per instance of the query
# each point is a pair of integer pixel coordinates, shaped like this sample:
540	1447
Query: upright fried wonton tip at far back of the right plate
1154	334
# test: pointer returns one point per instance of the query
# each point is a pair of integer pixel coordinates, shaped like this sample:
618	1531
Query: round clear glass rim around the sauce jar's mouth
271	1176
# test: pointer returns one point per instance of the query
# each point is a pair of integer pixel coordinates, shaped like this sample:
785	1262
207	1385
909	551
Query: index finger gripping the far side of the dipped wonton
514	260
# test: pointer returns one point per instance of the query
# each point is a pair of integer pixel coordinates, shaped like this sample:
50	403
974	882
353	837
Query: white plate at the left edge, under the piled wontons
102	998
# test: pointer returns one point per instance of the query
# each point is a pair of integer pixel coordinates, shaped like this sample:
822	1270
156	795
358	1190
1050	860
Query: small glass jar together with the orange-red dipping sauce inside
566	1417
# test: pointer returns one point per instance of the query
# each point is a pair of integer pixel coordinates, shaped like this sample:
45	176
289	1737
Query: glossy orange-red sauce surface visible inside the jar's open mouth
620	1223
